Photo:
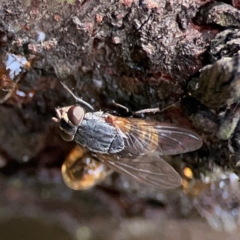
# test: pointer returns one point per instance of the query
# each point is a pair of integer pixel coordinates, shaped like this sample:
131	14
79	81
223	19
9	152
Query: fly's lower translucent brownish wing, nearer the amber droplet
154	171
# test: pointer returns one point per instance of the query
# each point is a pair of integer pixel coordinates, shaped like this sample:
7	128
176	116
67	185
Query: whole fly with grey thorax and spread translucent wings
129	146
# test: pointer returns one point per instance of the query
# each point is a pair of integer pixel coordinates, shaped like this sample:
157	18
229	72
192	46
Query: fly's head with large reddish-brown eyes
69	118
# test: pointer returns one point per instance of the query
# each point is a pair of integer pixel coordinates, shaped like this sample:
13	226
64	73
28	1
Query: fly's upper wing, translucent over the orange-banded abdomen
144	137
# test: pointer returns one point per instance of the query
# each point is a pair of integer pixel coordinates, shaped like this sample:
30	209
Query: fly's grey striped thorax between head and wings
97	135
